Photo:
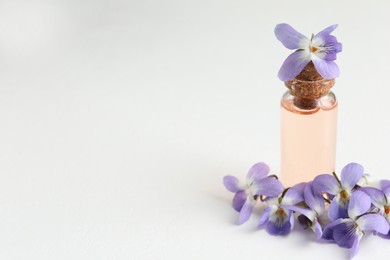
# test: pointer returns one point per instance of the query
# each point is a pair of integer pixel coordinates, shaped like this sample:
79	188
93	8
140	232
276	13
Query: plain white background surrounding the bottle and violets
118	120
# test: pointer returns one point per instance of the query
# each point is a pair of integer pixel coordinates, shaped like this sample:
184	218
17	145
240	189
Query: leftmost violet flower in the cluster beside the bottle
257	184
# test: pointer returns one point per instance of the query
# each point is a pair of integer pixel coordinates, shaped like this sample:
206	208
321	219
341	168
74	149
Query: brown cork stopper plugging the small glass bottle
309	86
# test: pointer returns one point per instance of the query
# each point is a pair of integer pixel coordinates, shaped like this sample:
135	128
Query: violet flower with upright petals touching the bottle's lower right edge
340	189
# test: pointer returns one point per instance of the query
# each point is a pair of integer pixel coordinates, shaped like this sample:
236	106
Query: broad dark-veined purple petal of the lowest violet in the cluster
345	234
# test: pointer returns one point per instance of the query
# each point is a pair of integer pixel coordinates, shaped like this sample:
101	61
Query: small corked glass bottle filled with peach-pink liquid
308	127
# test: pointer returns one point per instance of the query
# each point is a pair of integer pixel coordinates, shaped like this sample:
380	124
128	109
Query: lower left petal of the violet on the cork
293	65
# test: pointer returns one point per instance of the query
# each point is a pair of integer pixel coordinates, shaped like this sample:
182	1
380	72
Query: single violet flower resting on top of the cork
321	49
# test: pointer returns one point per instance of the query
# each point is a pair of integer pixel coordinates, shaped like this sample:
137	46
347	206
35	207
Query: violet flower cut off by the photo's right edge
381	201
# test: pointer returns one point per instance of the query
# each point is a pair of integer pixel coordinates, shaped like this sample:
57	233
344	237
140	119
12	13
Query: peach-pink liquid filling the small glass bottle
308	143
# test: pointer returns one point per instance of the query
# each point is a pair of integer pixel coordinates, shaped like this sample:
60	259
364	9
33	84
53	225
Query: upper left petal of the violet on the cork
289	37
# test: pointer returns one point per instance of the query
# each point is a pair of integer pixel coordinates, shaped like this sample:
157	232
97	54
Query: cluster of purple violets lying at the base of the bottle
339	210
